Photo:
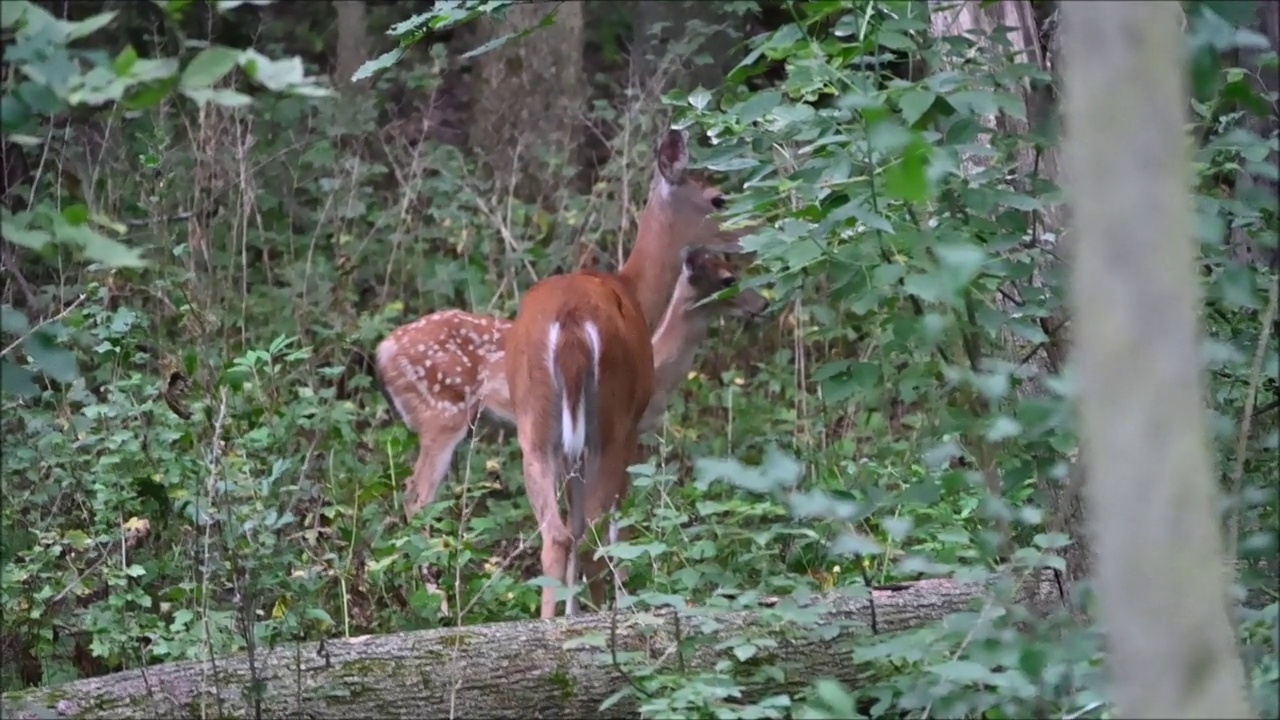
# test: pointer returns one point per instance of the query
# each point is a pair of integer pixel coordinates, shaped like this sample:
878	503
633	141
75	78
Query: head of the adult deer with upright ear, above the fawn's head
683	207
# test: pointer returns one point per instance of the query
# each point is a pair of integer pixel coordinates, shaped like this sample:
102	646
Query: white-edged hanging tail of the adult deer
574	361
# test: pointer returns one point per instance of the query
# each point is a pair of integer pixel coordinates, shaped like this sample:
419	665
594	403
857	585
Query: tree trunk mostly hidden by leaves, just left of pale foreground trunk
1027	25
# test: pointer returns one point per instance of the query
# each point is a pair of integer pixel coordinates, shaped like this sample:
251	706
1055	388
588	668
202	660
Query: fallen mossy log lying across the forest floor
500	671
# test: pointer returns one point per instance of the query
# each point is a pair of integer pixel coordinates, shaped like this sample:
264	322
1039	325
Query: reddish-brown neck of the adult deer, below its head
653	267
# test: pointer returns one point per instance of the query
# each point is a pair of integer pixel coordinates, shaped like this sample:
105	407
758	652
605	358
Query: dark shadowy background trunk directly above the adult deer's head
683	44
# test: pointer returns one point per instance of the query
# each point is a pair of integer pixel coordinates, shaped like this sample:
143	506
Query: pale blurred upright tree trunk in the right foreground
1153	495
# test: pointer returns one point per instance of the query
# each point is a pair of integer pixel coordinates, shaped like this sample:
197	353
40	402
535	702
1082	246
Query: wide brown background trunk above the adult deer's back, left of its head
532	97
